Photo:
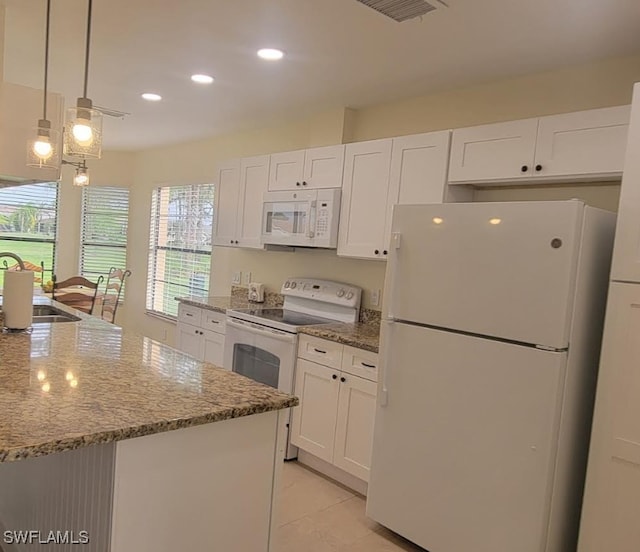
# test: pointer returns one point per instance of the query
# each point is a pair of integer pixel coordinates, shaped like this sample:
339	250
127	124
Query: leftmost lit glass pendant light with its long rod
43	150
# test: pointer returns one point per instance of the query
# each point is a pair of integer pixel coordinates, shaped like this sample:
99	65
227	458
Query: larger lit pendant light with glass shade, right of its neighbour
83	132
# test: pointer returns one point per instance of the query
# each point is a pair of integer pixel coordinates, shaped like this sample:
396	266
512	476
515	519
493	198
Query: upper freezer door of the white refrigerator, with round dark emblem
498	269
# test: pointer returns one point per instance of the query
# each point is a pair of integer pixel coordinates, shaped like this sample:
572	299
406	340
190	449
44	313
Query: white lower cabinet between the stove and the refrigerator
334	420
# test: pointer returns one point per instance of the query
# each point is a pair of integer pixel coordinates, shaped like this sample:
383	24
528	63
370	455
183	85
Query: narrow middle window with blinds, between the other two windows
103	241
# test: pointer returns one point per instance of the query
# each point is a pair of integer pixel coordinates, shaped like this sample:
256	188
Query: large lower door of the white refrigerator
464	448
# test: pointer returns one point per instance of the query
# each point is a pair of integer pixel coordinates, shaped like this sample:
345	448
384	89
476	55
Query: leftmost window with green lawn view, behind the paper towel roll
28	217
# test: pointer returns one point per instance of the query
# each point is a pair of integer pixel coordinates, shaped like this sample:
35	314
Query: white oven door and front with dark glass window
263	354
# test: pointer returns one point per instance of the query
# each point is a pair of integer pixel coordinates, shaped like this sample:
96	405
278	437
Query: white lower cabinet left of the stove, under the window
200	333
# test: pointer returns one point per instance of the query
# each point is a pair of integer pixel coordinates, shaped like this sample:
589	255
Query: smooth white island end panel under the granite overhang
208	487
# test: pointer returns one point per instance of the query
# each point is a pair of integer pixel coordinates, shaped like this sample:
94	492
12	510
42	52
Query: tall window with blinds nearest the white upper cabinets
179	245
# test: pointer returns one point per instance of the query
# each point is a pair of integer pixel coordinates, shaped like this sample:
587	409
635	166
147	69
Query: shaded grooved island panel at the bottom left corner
62	497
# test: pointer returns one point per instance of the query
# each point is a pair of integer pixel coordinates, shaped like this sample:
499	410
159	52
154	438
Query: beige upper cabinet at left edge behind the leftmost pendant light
20	110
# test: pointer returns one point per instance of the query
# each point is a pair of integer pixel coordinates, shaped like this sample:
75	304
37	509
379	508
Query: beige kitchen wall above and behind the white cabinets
596	85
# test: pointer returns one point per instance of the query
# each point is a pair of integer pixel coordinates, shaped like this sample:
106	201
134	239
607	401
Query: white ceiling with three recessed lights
339	53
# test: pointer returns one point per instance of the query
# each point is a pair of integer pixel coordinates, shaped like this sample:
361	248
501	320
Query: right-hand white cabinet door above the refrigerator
584	143
